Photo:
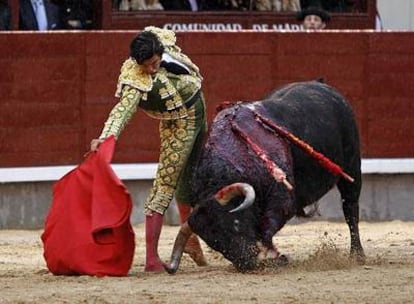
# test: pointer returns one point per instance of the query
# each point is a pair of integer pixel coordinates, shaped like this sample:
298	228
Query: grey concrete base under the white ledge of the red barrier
383	197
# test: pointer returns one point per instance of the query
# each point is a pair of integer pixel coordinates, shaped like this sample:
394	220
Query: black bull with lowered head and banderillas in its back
265	163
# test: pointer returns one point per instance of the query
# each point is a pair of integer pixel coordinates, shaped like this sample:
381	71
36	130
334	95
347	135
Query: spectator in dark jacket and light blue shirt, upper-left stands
41	15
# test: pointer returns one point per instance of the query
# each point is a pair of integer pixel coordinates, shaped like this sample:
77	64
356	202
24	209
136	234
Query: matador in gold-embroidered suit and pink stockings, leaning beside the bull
166	84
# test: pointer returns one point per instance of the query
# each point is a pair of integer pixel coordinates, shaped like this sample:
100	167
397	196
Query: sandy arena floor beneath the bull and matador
319	272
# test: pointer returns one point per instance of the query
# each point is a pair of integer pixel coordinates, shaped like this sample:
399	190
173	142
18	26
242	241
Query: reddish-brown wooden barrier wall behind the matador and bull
57	88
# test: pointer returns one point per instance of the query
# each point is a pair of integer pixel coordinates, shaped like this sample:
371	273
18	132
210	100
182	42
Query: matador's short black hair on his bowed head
144	46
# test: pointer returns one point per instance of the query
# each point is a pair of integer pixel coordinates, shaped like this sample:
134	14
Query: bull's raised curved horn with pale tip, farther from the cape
227	193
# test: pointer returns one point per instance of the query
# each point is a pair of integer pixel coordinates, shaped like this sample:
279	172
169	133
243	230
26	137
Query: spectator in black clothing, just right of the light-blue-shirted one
79	14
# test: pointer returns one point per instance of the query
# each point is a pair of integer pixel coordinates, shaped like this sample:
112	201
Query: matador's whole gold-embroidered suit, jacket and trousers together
176	100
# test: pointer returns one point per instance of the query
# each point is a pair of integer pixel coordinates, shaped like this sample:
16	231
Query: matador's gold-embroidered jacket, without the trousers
163	96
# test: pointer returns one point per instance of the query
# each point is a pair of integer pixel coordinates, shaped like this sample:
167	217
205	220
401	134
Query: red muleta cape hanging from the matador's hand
88	229
